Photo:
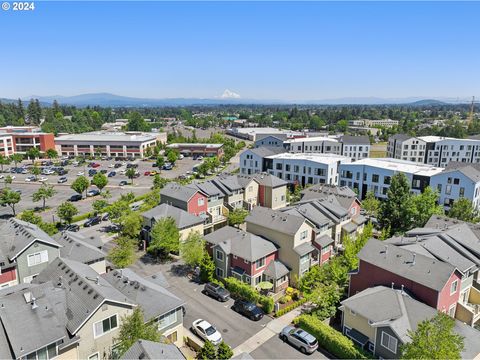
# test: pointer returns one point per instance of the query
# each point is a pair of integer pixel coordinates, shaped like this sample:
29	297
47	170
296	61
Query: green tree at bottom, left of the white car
134	328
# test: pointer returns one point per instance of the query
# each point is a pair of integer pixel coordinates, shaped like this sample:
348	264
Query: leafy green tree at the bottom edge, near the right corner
434	339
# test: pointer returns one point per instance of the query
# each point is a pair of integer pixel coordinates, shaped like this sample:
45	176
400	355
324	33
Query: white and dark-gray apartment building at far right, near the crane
433	150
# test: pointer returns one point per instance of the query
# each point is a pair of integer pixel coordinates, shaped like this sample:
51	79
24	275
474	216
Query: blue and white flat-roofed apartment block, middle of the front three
305	168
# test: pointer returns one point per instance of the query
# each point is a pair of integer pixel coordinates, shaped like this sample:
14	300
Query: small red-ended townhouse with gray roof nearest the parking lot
186	198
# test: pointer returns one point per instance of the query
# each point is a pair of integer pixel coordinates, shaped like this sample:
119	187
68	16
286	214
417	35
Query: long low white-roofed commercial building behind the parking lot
115	144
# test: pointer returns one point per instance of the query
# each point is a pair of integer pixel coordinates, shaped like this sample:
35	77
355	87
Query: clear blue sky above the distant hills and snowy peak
261	50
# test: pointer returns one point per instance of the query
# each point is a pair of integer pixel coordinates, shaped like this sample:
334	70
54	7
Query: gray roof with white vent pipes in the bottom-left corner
27	329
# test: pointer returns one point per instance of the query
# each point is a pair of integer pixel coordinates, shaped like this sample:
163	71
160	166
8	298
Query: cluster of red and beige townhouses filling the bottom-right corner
404	280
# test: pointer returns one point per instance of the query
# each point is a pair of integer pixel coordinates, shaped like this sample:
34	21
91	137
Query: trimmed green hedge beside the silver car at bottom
330	339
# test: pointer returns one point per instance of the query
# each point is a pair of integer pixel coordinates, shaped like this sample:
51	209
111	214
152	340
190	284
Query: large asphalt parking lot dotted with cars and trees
140	185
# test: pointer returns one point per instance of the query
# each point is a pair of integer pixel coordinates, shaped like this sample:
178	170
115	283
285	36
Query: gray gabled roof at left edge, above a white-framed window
17	235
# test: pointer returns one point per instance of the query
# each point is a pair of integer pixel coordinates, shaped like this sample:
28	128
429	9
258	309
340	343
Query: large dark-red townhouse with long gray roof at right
429	280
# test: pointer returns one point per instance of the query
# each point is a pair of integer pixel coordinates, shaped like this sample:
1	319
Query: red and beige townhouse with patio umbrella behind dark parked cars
247	257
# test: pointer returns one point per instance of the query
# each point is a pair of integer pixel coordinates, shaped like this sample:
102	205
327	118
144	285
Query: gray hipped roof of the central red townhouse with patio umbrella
241	243
